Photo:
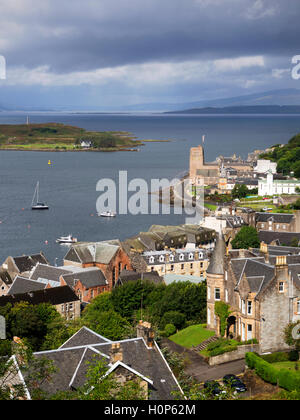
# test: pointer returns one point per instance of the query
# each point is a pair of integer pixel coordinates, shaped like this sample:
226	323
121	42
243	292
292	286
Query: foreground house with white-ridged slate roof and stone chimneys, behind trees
138	359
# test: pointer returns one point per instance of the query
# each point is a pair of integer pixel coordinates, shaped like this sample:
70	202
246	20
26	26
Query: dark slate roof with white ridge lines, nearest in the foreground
71	363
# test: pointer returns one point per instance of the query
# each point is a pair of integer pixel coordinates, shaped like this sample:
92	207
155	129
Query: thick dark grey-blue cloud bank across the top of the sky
86	35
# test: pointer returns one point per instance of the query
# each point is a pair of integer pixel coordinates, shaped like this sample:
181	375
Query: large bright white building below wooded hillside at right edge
270	187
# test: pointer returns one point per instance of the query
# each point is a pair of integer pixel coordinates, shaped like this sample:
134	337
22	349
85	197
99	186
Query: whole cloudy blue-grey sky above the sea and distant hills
110	53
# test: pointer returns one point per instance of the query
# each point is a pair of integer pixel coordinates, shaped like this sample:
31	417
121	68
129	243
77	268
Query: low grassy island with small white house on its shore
52	136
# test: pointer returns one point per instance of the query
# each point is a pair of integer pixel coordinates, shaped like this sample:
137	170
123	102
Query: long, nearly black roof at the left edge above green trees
54	296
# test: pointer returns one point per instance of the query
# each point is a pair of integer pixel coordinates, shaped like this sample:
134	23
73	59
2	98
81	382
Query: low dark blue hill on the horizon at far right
255	109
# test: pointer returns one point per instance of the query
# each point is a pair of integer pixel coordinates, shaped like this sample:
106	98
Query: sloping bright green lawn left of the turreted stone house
192	336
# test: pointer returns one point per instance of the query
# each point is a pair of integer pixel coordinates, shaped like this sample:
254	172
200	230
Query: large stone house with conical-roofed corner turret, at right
262	289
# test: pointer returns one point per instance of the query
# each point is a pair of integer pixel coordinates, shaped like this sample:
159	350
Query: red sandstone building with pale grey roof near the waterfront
109	256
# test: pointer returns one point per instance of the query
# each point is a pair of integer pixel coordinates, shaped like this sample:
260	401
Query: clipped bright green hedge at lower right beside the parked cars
283	377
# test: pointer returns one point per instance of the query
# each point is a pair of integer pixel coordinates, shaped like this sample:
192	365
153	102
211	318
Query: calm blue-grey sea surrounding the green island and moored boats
69	185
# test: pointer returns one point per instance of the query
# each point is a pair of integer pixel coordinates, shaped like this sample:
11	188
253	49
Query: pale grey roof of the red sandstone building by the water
100	252
